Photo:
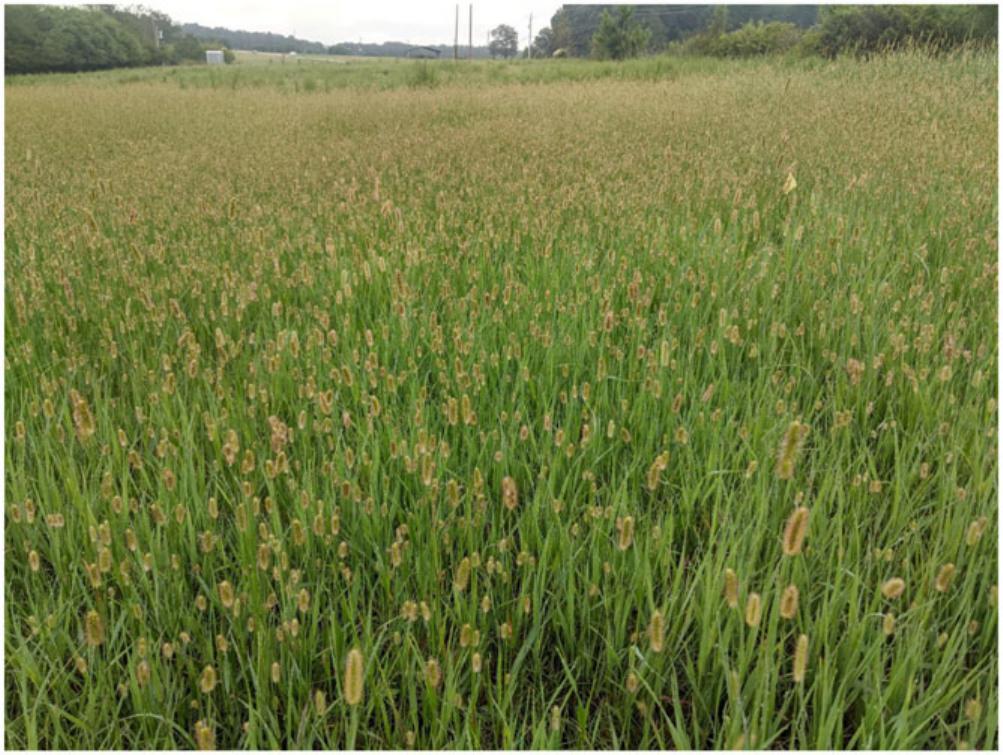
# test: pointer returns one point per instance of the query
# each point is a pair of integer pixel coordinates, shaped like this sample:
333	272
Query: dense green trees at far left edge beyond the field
40	39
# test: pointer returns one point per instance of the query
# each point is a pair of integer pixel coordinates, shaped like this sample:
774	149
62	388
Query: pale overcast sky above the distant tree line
369	21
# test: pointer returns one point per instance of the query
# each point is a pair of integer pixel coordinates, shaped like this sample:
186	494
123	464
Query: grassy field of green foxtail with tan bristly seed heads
617	413
